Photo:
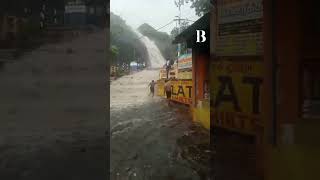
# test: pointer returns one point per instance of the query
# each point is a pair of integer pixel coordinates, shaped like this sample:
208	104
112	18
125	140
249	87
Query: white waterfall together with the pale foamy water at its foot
132	90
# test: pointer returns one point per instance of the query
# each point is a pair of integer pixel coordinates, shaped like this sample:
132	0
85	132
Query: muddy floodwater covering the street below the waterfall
151	141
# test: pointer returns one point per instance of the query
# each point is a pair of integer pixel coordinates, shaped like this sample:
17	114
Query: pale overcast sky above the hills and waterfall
157	13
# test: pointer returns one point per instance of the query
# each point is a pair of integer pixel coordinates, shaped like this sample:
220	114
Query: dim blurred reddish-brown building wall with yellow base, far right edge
295	154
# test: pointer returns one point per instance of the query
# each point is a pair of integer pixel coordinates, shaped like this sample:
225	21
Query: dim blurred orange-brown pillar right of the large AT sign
289	56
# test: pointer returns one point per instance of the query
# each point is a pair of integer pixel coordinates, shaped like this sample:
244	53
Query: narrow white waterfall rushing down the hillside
154	55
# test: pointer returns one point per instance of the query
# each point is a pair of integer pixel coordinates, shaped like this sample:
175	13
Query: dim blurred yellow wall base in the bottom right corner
300	160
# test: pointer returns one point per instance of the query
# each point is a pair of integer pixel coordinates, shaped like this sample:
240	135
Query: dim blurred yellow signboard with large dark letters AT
236	92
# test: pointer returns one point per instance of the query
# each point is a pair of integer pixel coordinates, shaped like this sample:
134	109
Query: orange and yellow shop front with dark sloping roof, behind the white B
200	105
